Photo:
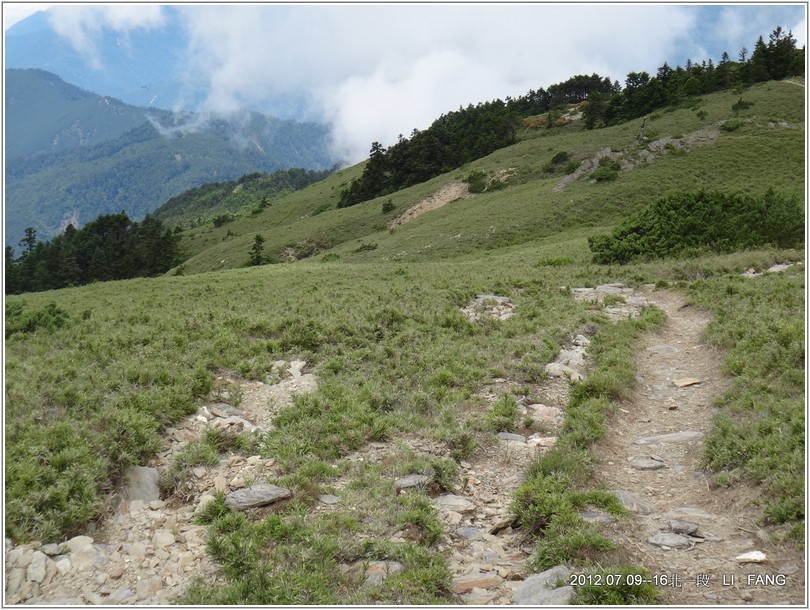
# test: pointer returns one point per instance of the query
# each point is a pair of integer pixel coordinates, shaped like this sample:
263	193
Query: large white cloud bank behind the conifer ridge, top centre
377	71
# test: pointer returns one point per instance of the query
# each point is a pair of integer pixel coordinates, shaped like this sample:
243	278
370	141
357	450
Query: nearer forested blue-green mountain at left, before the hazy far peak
72	155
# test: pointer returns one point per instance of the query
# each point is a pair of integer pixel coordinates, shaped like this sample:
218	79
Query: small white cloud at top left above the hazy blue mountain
82	25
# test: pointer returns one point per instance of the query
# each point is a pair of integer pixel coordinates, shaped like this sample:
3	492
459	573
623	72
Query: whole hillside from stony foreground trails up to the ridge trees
435	396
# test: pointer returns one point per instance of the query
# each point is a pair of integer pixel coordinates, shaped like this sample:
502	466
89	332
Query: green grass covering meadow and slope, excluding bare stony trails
94	373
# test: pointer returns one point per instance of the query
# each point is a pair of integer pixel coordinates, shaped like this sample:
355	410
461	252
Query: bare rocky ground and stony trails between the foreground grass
149	551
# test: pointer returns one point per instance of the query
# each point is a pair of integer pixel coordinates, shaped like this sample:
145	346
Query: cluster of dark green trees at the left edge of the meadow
112	247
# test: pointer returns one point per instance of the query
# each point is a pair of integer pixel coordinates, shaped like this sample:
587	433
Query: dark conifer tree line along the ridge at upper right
459	137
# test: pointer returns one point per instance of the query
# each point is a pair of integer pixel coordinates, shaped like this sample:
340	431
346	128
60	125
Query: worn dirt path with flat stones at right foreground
679	378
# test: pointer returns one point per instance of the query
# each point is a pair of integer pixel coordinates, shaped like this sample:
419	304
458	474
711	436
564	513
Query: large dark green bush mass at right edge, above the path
703	221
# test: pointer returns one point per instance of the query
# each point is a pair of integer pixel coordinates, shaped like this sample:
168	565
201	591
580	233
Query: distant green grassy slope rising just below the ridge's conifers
528	210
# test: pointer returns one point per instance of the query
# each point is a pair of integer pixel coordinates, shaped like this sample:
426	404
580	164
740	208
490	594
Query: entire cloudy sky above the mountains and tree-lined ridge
375	71
